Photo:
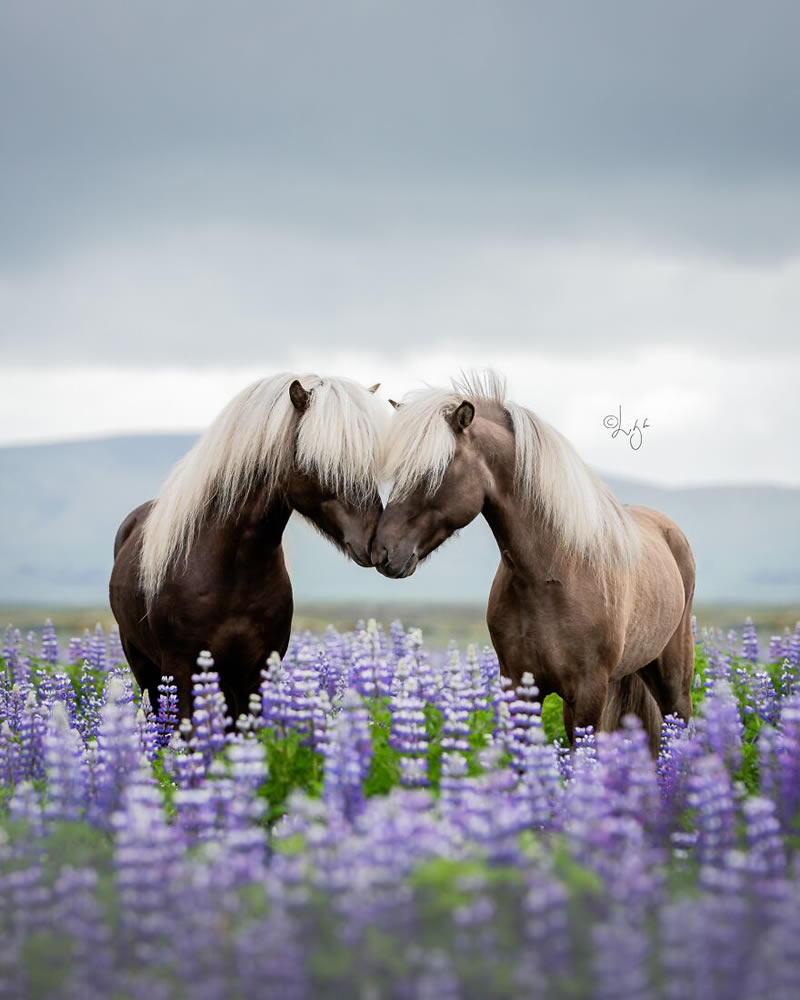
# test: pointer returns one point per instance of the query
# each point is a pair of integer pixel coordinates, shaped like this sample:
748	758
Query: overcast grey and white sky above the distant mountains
600	199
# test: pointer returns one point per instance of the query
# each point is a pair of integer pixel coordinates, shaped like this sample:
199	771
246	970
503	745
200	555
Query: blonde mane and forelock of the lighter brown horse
550	477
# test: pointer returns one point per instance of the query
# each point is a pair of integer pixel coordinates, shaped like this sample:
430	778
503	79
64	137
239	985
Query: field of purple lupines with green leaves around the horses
393	823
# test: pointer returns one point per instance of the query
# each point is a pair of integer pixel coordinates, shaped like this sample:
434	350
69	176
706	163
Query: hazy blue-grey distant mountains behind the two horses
61	504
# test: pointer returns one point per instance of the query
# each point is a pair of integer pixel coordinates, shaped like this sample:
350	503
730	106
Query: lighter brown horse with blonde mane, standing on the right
592	597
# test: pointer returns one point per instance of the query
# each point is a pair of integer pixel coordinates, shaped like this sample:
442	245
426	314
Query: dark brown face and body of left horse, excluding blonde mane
231	595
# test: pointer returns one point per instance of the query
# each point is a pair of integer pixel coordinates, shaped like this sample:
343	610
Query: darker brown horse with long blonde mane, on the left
202	566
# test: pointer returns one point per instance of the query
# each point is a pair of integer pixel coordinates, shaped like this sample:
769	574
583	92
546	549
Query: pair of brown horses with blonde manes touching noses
592	597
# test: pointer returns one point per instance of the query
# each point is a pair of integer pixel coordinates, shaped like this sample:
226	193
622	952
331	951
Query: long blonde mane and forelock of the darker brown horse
254	442
